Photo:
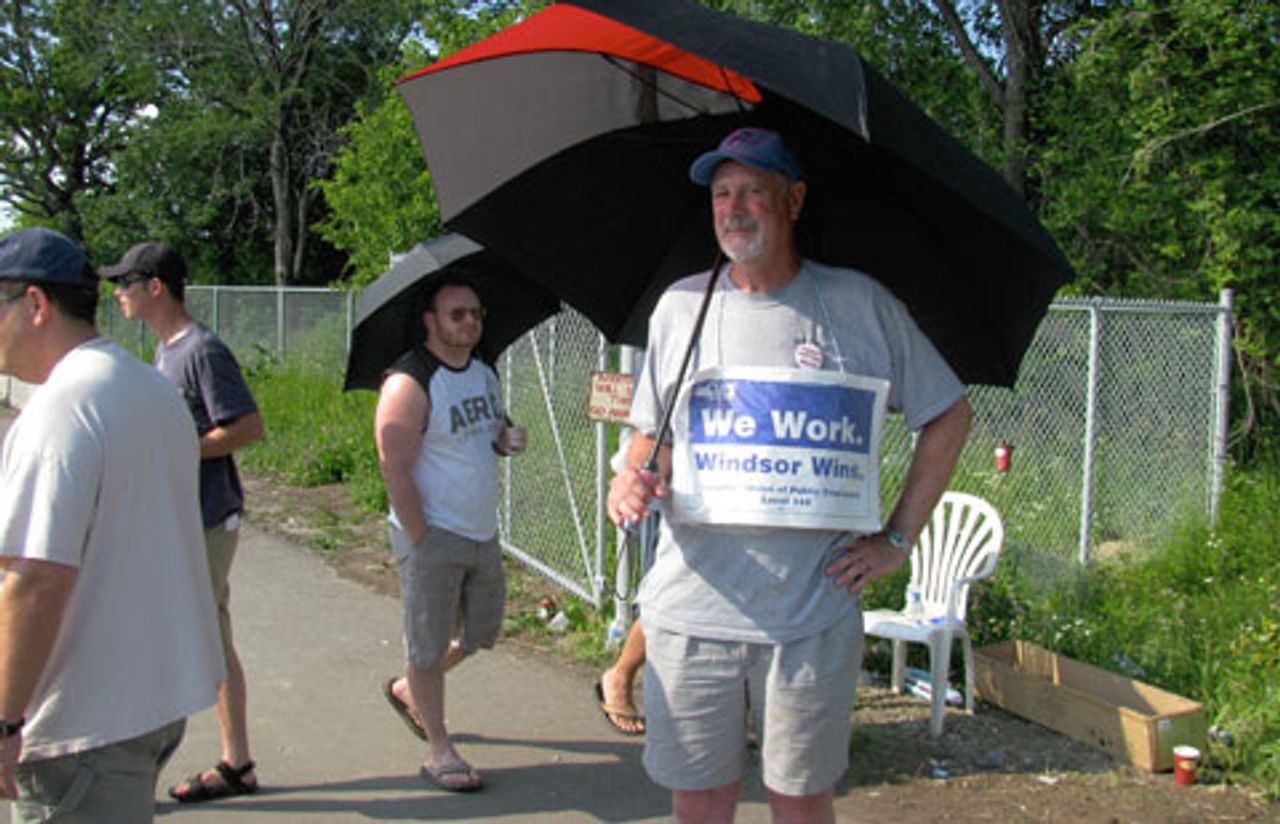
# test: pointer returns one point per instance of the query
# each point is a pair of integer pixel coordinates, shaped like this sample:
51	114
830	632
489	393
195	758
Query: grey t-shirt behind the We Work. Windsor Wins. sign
767	585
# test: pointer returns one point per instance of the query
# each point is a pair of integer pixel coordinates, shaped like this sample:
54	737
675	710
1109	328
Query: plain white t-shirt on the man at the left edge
99	473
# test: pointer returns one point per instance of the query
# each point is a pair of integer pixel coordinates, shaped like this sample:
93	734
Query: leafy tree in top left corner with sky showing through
72	90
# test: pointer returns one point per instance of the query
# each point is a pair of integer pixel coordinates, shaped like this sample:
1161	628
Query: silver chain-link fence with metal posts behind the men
1117	424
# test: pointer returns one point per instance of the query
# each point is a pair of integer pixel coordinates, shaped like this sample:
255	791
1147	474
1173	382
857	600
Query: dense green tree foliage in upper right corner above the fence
1163	170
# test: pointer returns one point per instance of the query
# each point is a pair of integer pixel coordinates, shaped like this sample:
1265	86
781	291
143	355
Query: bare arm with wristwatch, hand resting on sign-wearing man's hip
938	450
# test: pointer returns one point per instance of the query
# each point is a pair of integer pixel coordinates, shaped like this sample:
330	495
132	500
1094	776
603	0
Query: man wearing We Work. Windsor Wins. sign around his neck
738	611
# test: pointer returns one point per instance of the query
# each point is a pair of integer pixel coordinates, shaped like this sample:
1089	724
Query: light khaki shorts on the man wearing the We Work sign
802	699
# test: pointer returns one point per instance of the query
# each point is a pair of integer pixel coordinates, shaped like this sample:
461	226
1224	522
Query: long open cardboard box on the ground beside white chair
1132	721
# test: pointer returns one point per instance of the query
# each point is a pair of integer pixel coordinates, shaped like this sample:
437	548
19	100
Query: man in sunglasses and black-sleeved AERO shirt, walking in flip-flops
440	429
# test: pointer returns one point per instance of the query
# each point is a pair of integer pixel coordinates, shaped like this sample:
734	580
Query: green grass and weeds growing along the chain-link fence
1196	611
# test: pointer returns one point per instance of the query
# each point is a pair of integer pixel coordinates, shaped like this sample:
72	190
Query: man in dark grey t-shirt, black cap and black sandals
150	283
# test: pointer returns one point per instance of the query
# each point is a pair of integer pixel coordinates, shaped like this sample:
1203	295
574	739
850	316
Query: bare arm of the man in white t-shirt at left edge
33	602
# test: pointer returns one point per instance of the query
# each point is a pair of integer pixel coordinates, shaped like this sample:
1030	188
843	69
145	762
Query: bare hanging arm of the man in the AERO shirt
403	413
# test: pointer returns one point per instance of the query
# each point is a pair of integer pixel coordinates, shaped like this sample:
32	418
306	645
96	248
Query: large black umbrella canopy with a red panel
565	143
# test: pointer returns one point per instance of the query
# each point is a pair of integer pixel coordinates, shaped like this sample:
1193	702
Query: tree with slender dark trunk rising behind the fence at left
289	74
